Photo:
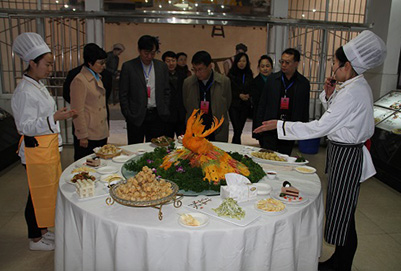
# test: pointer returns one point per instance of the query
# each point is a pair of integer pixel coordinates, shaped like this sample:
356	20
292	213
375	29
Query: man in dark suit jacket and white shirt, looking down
145	93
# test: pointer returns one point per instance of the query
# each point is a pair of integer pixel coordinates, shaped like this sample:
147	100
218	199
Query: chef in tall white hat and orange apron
36	118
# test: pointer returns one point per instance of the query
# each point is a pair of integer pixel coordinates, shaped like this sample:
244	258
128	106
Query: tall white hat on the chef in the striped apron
365	51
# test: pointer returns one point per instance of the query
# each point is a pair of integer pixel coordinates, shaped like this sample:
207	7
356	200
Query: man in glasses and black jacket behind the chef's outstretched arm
285	97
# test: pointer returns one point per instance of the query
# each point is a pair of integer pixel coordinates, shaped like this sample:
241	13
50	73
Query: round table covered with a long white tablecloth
92	235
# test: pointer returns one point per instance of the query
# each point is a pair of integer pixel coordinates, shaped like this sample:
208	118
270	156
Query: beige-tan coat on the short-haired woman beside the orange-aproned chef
88	97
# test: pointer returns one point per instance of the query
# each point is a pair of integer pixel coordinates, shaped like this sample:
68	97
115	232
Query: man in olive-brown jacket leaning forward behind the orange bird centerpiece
209	91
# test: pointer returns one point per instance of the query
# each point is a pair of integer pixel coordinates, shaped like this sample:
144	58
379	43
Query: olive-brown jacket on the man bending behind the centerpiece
221	100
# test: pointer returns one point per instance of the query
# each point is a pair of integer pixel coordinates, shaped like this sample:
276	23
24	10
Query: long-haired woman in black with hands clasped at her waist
241	78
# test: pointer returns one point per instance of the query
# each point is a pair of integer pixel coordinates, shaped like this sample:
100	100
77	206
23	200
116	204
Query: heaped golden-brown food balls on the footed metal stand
144	187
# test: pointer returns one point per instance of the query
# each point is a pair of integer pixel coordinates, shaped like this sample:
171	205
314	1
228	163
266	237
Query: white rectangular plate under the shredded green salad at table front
250	214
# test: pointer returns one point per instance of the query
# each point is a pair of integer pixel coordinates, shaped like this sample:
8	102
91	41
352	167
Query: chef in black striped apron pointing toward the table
348	123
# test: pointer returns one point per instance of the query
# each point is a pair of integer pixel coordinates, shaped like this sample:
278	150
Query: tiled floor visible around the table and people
378	216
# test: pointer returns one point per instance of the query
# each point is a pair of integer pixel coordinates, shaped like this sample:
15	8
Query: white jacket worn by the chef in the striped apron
348	119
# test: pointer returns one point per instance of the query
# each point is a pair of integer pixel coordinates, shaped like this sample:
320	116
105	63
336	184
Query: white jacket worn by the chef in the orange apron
33	109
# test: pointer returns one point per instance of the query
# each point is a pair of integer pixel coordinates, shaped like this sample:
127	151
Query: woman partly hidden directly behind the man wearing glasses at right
265	67
